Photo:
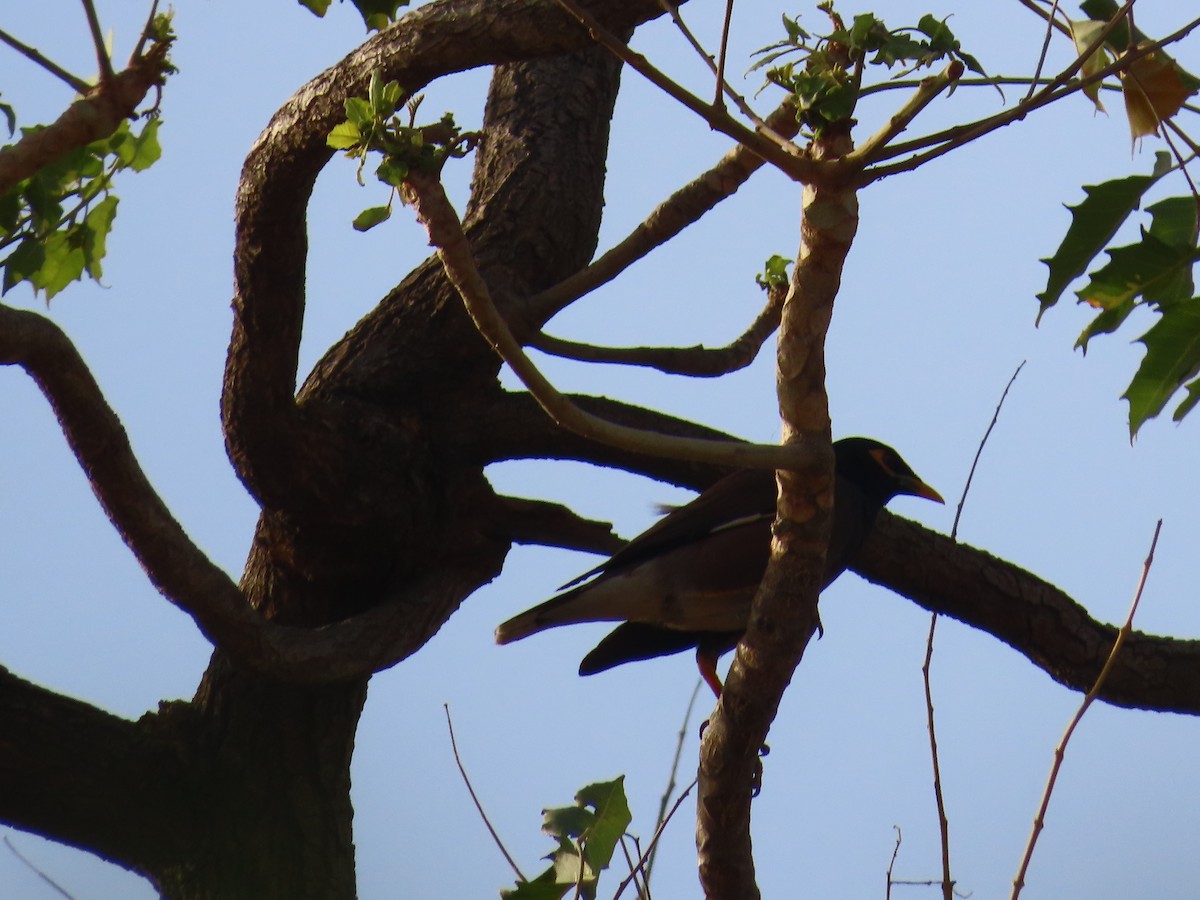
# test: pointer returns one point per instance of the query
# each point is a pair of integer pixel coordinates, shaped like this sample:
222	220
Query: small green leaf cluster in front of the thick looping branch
373	127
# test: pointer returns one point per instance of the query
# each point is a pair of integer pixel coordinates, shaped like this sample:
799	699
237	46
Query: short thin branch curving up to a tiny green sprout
697	362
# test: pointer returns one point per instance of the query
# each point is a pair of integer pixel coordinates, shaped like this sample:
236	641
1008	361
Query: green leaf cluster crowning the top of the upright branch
826	79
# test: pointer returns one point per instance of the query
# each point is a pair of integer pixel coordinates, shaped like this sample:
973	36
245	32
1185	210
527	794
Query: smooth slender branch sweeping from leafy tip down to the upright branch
425	194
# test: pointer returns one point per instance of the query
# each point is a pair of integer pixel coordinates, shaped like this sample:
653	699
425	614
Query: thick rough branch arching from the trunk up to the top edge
281	457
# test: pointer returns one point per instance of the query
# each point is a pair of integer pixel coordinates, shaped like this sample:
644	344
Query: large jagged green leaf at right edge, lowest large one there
1173	359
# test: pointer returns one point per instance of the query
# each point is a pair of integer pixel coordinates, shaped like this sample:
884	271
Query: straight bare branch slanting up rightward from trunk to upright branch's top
669	219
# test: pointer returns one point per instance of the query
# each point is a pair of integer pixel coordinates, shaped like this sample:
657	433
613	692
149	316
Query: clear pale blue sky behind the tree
937	311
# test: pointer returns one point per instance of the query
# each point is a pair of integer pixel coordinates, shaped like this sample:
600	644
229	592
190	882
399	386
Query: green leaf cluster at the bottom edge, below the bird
587	836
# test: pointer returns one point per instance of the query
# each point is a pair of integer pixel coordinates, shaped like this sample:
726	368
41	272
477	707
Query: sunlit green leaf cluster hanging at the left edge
56	224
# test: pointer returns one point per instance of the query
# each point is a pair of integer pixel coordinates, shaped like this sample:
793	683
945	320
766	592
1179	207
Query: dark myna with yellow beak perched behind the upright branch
689	580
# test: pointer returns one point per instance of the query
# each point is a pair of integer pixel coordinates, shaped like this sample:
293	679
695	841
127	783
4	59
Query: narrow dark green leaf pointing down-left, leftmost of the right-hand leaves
1094	223
